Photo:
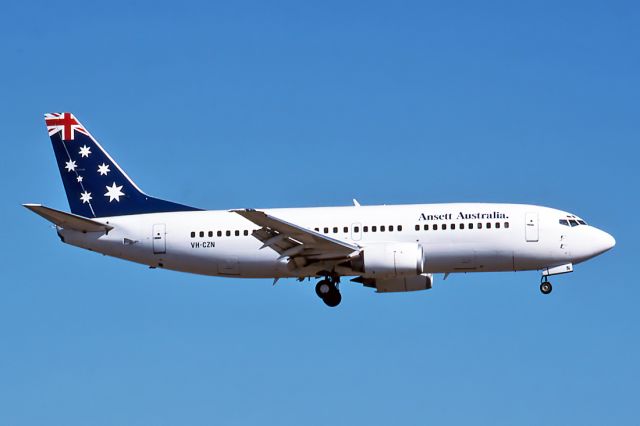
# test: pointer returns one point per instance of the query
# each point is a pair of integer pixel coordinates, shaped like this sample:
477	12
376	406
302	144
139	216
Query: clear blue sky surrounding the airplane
248	104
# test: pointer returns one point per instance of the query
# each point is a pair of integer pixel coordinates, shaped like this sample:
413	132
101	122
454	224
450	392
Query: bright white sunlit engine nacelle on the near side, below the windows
392	260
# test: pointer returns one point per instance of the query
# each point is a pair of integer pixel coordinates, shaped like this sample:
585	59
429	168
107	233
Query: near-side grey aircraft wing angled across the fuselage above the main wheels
291	240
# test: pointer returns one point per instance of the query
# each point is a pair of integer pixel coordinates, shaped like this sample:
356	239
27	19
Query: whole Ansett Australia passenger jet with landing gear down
395	248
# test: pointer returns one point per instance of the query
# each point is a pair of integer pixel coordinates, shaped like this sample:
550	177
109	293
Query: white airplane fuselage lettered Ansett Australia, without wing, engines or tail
464	237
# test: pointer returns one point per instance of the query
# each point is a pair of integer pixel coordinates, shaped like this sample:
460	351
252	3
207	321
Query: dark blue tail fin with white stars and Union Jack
96	186
